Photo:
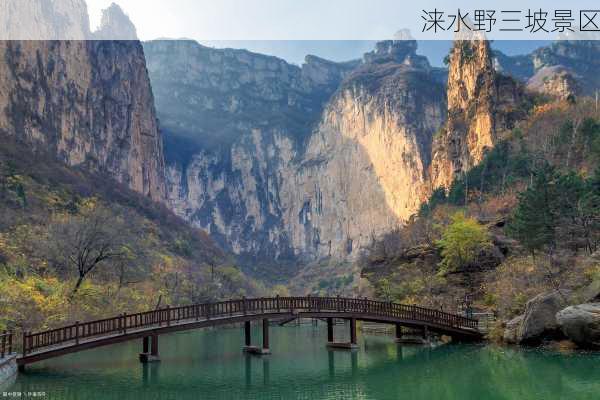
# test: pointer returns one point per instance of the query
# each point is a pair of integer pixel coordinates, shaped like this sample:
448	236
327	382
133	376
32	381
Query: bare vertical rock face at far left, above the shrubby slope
89	102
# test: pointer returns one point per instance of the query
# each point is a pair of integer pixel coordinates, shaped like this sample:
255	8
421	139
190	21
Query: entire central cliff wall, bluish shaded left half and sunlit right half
285	163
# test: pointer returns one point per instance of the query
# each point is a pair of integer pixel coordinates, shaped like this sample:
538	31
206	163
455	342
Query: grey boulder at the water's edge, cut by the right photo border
581	324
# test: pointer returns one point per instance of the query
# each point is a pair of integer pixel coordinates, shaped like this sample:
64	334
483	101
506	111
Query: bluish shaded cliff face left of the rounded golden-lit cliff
237	124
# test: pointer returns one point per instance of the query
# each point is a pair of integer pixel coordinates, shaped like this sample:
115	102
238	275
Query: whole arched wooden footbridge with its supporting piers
149	325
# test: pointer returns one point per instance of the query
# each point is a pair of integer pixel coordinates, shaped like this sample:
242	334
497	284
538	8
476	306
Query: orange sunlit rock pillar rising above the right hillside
481	103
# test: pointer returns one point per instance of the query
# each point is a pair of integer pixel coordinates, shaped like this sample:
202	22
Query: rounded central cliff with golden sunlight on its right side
364	170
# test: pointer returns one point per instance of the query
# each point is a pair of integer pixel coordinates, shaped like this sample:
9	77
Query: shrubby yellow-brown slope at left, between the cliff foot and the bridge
75	246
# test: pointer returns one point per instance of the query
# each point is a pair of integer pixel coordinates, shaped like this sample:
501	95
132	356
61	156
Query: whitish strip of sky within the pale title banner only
310	19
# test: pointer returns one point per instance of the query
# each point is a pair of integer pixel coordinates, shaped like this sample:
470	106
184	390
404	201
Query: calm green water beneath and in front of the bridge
208	364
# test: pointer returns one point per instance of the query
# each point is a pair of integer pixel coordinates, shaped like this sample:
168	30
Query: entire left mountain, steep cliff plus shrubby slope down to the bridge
84	228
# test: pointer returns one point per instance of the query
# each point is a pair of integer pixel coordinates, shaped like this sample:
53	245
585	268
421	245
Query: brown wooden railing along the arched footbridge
123	323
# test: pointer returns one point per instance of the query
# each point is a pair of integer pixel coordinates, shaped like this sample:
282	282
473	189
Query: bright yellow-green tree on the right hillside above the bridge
462	241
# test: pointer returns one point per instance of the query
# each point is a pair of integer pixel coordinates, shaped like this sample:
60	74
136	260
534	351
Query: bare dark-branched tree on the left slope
83	243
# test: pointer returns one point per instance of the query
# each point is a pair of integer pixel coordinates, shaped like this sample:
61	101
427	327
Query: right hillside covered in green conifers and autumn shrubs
535	195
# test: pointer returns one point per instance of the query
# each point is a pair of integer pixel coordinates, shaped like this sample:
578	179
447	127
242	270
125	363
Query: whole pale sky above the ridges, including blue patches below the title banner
335	29
